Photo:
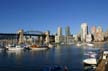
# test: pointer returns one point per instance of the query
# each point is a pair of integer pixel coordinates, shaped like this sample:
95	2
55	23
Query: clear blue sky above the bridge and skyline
46	15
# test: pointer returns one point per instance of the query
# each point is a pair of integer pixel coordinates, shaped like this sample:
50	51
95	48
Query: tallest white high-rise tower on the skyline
84	31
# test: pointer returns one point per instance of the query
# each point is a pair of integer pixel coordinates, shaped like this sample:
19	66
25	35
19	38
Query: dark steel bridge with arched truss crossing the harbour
19	36
